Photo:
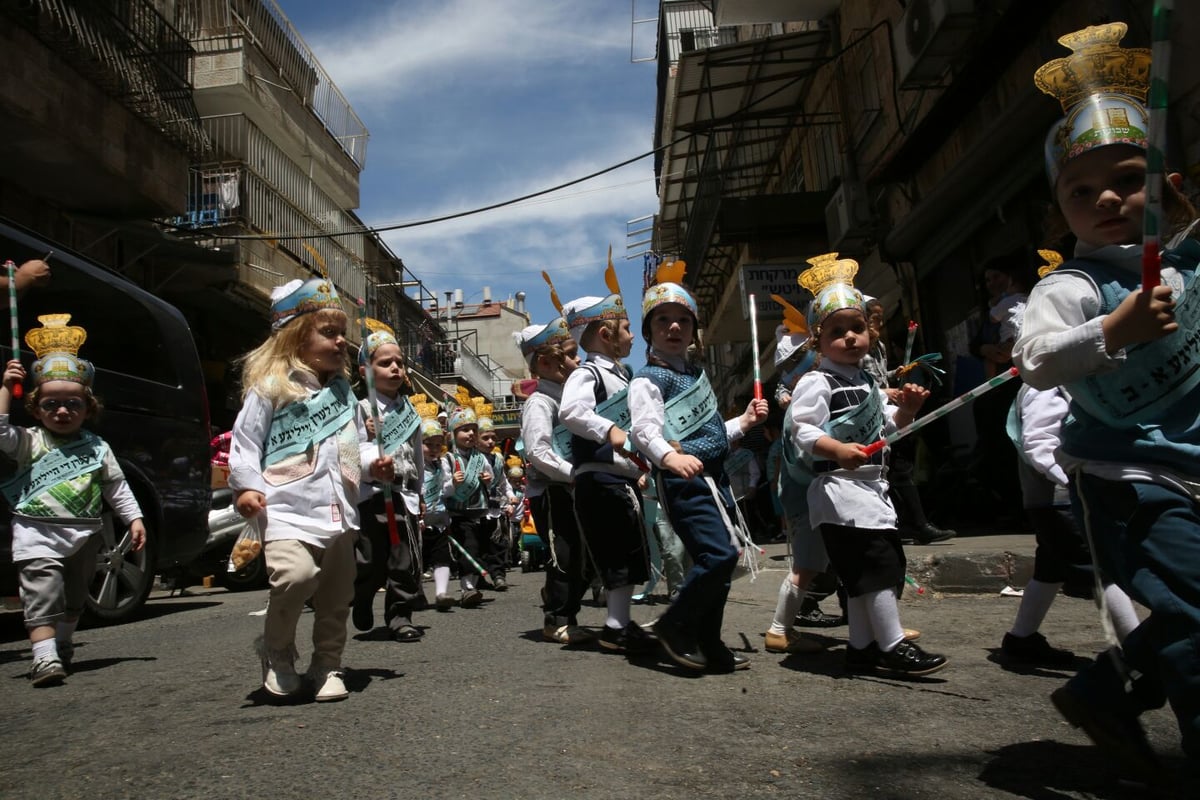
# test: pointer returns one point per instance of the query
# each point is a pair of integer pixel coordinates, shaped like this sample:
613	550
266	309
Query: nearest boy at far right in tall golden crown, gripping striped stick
1132	443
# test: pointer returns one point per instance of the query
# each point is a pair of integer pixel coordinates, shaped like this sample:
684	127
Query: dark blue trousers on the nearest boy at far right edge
1148	540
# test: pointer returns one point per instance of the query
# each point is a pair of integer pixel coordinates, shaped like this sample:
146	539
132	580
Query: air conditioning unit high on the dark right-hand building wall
931	34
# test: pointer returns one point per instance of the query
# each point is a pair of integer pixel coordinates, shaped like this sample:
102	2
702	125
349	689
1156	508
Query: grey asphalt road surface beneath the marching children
170	707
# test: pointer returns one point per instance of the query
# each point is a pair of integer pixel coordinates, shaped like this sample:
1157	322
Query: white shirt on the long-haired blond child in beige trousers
313	509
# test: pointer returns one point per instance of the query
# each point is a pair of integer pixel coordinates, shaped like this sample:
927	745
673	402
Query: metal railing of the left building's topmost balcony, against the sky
266	25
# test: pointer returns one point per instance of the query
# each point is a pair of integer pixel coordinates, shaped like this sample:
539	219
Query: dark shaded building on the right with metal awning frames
907	136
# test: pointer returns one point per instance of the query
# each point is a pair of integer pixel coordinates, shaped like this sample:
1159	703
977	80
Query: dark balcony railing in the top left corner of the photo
128	50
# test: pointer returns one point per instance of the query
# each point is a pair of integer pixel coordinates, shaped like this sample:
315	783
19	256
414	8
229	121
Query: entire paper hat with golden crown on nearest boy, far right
1102	88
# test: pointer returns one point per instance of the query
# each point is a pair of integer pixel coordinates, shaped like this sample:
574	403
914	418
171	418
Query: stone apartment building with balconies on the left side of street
200	149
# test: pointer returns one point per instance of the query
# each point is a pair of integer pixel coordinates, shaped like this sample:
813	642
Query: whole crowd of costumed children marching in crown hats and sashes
355	496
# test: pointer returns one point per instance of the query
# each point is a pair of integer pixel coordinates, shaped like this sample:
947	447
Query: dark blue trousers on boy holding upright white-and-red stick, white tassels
700	609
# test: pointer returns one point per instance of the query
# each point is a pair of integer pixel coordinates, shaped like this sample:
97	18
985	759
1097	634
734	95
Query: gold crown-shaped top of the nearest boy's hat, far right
1097	64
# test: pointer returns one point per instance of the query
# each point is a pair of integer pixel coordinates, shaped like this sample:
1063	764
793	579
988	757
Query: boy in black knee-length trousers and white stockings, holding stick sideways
837	410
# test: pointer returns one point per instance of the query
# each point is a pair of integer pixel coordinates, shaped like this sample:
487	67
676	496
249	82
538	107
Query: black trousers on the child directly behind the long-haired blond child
394	568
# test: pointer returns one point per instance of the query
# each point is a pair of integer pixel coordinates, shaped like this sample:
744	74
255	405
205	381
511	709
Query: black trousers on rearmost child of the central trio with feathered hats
554	510
